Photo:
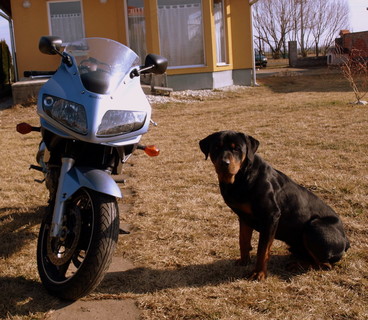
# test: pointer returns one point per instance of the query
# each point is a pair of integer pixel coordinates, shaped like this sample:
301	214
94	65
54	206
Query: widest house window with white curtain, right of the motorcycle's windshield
181	32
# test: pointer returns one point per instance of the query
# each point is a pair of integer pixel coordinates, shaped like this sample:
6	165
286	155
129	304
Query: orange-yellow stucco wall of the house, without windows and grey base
109	20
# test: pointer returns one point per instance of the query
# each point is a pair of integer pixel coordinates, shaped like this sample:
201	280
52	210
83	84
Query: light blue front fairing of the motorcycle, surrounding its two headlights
126	94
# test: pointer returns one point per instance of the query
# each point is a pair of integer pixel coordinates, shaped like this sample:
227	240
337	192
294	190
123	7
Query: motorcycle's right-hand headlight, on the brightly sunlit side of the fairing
115	122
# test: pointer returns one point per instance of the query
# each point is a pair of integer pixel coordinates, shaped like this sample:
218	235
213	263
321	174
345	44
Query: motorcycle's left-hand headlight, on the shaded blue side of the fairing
70	114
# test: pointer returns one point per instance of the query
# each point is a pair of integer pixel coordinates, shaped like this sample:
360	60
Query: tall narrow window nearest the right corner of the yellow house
218	10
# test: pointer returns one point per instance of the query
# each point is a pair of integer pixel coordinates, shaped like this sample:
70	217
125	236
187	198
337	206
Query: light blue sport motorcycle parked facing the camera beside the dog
93	113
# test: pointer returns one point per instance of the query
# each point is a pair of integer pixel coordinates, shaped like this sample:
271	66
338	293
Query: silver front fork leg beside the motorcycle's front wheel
57	216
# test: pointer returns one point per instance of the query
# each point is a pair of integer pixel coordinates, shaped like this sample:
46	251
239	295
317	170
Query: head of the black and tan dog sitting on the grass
228	151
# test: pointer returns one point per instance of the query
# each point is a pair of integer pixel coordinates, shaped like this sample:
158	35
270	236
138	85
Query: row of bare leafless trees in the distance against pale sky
314	24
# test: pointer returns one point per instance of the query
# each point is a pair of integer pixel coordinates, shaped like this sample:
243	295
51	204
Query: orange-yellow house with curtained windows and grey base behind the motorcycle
208	43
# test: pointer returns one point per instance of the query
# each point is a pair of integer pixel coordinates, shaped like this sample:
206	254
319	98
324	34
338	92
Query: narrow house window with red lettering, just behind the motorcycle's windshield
137	27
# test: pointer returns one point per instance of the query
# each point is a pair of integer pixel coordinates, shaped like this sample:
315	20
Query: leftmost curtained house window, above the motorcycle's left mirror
66	20
